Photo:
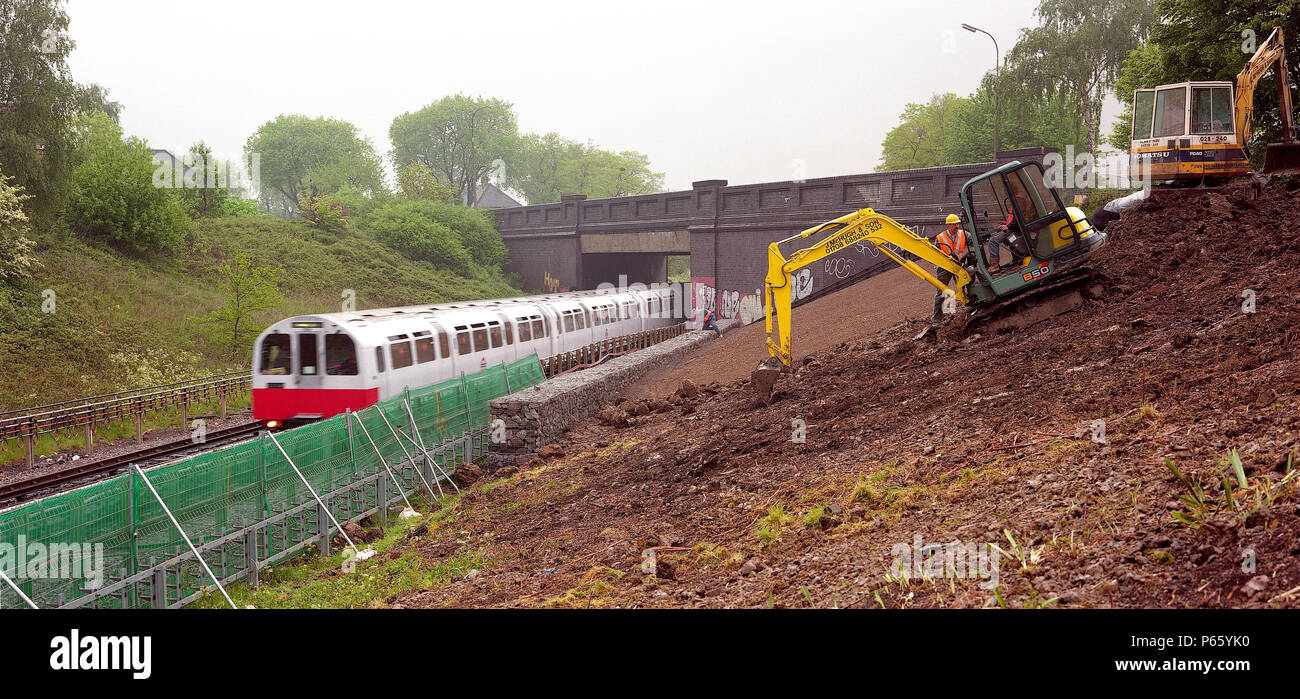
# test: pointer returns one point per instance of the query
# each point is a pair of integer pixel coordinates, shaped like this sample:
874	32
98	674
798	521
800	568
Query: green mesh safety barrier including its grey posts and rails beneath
168	535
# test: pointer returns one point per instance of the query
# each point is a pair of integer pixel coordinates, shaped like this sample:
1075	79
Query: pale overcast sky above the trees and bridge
735	90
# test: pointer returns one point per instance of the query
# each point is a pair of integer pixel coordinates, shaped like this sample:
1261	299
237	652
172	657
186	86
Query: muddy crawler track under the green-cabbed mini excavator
1039	305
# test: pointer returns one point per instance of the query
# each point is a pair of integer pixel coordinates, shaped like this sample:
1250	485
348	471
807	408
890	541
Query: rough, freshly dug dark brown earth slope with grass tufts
987	441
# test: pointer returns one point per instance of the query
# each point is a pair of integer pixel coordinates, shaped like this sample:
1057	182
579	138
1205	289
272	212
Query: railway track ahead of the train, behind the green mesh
46	484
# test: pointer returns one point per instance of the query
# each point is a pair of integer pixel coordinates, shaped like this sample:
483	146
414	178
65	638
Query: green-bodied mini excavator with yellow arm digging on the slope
1050	241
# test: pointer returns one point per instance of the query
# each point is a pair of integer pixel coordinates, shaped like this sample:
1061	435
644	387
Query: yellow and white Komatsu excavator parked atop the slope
1198	132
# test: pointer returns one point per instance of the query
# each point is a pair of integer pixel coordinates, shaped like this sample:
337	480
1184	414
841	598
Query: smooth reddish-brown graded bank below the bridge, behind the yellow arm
848	315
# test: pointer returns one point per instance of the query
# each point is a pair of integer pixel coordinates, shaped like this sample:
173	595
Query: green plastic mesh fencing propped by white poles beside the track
223	492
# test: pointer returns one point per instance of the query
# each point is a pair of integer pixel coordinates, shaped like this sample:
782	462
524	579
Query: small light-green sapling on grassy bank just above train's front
250	292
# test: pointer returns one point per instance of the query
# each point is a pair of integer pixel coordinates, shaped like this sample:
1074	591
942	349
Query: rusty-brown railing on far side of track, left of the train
88	413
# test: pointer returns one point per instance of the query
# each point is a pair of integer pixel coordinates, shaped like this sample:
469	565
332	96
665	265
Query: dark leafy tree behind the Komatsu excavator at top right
1211	41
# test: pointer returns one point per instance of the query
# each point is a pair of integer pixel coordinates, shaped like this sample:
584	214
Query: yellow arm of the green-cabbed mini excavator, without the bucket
860	227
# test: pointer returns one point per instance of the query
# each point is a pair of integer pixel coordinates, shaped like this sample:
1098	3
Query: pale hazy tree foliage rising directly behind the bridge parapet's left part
548	167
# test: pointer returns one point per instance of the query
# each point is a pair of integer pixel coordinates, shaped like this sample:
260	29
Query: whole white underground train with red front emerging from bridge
314	367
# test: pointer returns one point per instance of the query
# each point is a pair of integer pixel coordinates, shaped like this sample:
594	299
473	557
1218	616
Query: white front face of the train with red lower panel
307	368
